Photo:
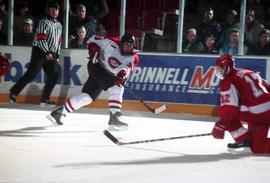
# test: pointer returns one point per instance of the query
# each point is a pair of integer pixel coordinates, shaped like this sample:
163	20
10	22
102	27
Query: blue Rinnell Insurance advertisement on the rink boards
182	79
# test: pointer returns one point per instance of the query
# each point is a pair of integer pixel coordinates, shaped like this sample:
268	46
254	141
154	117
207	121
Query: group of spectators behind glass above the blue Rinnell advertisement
212	37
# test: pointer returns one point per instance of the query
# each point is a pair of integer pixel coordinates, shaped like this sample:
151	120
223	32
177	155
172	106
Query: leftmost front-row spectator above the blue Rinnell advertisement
191	43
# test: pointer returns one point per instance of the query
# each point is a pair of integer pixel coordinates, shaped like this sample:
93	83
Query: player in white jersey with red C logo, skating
110	62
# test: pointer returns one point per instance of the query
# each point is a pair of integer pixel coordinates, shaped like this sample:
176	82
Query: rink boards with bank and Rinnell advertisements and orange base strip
187	84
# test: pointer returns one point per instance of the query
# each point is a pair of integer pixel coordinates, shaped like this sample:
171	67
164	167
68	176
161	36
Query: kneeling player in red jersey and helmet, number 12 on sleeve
244	97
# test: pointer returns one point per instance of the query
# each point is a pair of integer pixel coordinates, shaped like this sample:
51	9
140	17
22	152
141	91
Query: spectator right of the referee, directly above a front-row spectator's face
78	20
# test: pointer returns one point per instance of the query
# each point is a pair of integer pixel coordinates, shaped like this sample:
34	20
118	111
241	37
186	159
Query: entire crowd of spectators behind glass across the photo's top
217	32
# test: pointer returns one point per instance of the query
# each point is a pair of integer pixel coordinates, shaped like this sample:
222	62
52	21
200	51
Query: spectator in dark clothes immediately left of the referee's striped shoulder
26	36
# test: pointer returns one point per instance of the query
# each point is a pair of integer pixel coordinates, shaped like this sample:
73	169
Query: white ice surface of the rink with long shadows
33	150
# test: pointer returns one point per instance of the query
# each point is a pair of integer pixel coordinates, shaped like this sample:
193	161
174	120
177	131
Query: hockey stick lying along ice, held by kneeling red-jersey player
118	142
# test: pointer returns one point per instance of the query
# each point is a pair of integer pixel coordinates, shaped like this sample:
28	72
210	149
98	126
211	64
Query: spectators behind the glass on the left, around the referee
85	20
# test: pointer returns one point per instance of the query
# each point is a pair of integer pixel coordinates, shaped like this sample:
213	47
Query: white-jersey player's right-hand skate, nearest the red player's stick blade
115	122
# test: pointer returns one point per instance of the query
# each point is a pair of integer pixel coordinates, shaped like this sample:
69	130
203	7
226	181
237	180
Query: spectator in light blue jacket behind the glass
232	46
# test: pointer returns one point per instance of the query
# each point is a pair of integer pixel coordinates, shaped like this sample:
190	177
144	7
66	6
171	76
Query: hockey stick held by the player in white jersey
153	110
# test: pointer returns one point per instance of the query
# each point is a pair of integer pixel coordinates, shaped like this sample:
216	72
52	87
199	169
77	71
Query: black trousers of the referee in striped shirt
37	62
